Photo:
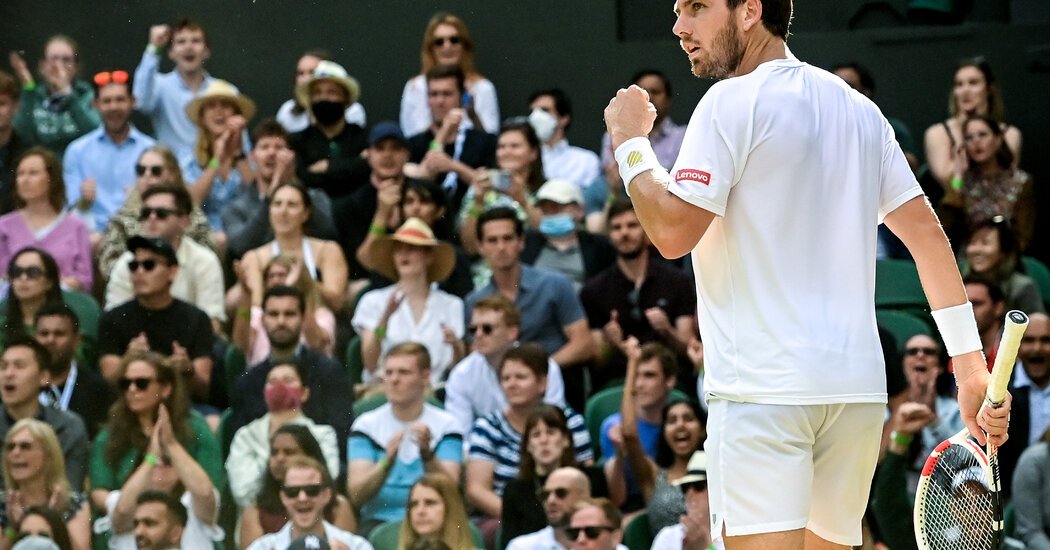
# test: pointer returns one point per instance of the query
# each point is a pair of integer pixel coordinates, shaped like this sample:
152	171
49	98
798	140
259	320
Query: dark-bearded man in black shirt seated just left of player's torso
639	297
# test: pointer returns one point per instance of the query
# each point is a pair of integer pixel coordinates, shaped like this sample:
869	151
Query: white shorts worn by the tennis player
784	468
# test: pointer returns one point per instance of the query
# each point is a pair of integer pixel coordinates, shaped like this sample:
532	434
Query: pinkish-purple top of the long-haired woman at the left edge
68	243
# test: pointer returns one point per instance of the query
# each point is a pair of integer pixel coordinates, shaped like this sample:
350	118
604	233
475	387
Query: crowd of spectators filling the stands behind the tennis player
250	331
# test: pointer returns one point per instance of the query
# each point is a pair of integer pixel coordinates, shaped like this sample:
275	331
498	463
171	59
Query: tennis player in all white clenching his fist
783	179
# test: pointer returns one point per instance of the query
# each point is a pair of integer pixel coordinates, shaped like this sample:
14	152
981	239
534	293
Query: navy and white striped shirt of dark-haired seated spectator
493	439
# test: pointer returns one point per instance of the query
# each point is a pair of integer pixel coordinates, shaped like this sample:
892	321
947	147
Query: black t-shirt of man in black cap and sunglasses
179	323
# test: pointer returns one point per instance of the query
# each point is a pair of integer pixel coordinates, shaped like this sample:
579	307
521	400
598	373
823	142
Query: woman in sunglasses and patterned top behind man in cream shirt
156	166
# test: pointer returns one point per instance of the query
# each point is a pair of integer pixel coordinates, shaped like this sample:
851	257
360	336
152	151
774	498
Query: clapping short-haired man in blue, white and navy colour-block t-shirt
394	446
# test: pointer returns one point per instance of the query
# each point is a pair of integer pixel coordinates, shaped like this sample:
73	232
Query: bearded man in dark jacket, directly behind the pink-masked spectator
330	399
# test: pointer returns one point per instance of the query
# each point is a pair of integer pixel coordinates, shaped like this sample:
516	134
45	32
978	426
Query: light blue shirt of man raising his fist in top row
164	98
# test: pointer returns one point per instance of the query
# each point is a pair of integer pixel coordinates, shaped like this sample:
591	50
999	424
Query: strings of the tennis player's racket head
959	505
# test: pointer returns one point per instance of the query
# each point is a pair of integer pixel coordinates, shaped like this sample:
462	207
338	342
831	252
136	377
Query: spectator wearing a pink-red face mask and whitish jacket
286	391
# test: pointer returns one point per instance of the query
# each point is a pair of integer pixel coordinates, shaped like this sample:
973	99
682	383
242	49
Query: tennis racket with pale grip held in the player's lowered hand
958	503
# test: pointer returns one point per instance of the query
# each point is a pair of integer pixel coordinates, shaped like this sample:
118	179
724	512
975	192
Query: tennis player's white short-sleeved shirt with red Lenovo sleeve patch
800	171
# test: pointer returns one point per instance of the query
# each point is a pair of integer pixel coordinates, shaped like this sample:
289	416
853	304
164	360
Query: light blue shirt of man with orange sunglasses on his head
95	155
